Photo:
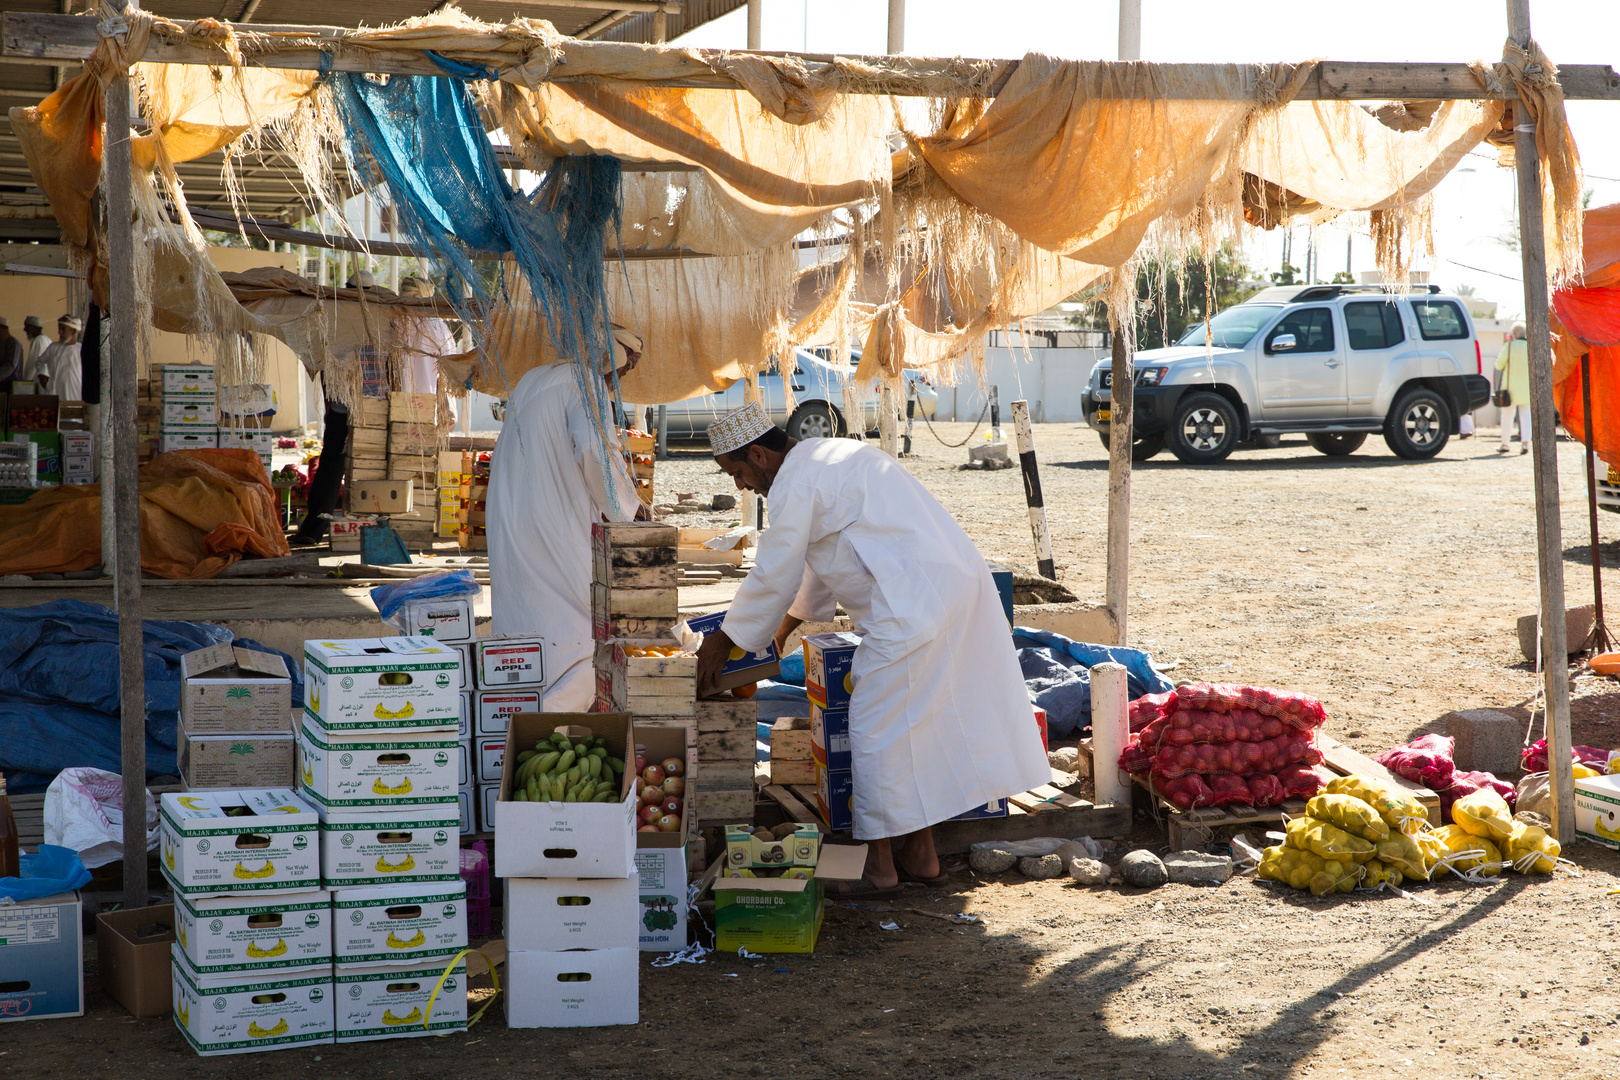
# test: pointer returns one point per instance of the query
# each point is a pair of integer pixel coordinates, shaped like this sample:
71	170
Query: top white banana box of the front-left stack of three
211	853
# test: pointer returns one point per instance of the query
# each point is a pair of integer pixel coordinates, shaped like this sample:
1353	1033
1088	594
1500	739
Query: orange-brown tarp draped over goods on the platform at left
202	511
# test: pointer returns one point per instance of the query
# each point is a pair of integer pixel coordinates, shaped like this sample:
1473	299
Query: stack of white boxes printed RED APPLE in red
503	678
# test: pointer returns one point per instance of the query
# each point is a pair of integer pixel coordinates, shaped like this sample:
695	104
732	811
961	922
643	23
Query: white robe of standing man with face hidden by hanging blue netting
547	487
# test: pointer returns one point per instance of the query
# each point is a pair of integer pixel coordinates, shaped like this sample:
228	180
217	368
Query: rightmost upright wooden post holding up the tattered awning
1545	448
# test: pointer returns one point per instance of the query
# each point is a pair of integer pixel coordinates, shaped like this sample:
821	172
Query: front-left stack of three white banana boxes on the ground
252	963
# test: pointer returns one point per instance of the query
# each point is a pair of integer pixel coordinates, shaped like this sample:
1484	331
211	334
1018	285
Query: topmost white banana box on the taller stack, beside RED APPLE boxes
382	684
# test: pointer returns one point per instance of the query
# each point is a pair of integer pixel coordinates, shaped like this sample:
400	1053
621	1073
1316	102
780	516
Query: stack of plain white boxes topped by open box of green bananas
573	896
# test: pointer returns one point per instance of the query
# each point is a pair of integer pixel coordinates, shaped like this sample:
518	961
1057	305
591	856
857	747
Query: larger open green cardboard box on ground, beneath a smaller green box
780	914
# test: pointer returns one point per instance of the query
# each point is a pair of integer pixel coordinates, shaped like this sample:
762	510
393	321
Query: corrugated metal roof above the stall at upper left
270	184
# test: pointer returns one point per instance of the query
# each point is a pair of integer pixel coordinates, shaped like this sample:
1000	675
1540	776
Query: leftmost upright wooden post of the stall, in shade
124	360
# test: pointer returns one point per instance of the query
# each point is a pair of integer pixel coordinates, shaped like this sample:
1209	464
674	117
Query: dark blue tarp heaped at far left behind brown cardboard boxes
59	689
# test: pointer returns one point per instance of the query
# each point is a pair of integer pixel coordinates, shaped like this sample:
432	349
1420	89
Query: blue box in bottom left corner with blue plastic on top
43	959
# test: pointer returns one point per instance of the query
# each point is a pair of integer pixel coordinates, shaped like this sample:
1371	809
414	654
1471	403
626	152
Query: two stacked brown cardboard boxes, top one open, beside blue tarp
236	720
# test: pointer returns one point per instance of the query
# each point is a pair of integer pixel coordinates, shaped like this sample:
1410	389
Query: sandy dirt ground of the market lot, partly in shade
1386	589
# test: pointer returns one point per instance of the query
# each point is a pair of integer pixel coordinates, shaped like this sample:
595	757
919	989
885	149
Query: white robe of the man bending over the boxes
940	720
